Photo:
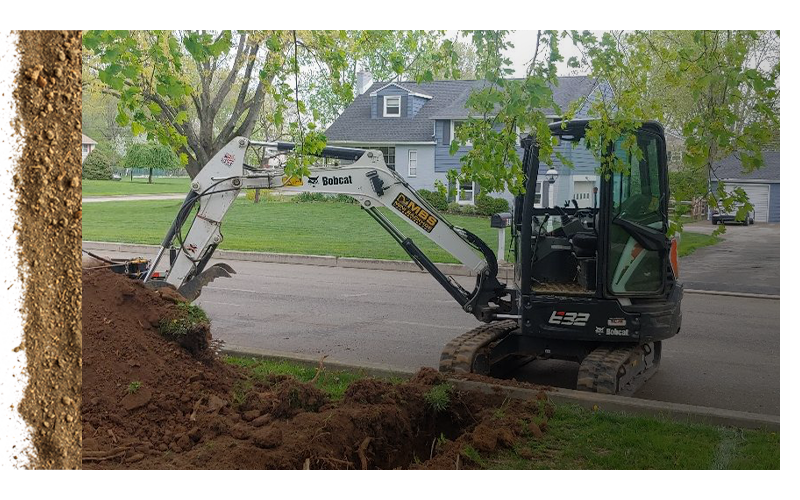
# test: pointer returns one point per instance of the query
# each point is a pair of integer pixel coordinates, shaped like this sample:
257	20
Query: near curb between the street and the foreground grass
592	401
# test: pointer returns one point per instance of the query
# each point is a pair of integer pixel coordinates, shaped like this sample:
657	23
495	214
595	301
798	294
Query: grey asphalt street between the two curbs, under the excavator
726	356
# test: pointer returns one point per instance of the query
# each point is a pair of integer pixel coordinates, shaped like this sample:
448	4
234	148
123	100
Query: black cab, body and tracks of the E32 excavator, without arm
594	282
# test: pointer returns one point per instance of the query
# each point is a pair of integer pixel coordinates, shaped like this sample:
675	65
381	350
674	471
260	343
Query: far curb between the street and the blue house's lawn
505	272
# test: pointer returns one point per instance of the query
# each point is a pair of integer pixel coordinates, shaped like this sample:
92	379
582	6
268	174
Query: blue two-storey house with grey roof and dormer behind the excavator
412	124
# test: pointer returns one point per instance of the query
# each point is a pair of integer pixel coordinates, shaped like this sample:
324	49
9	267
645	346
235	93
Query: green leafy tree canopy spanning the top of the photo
194	90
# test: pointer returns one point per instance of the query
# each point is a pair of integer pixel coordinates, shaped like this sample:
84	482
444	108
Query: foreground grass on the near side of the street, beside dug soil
577	438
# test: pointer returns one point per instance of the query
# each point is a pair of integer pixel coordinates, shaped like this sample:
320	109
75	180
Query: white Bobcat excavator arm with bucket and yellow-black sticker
367	179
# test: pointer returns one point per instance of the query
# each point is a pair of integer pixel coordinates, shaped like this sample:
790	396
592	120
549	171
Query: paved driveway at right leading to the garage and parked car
747	260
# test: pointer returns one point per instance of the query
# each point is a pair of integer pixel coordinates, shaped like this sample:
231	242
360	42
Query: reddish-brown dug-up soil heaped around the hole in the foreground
148	403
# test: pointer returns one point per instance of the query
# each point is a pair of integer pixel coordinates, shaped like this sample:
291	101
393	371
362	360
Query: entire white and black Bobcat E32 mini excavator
597	285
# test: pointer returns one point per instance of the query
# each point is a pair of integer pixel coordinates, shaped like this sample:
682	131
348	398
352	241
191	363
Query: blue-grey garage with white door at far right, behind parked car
763	186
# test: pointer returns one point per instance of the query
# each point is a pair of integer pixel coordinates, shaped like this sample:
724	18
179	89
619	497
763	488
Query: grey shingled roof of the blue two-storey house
448	101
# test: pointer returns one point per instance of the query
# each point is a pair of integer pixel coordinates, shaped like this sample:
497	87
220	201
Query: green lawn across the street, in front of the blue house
321	228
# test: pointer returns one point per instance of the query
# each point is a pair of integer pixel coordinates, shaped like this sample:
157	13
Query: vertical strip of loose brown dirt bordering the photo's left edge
48	181
